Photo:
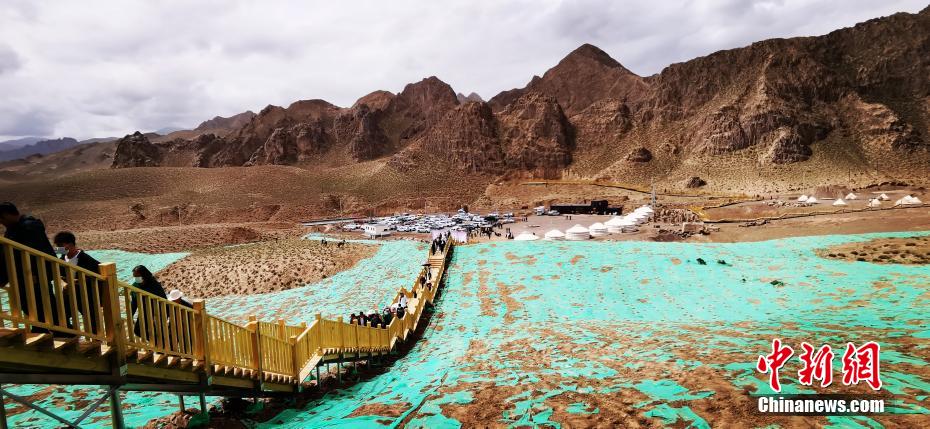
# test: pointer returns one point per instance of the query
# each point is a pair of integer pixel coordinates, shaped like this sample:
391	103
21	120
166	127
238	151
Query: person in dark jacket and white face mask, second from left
66	246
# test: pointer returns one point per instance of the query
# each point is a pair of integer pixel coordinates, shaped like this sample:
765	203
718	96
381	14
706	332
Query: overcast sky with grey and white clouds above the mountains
106	68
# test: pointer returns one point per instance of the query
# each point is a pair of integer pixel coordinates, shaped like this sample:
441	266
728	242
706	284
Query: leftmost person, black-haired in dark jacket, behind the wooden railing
28	231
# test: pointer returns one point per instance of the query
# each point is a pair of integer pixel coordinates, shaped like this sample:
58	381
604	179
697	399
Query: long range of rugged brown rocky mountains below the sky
857	99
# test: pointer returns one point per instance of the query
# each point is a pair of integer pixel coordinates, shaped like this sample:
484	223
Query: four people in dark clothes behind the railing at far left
30	231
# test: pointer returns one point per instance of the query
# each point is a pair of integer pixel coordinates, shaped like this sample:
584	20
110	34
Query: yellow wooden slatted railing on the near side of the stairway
97	307
